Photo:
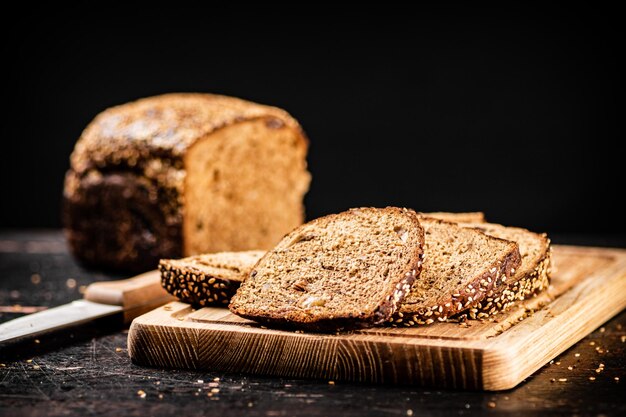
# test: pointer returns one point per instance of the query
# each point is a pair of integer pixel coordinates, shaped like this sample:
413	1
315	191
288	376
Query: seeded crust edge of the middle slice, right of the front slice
496	274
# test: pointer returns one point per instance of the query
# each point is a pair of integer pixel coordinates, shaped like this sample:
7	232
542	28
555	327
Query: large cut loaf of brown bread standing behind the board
182	174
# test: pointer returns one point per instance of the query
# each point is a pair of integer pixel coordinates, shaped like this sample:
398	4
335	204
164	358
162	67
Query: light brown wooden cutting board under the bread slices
589	287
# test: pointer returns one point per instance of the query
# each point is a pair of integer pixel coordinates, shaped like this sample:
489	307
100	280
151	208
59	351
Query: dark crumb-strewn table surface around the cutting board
88	372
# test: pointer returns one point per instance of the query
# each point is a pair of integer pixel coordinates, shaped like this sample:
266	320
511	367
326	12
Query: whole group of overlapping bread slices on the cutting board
471	269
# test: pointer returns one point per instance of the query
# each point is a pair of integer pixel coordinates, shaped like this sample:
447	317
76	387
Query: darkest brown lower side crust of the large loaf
116	221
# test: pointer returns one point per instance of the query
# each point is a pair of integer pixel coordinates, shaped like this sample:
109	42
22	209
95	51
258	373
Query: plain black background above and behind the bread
509	111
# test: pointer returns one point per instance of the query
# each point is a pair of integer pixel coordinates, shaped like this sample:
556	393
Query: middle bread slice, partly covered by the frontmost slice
461	266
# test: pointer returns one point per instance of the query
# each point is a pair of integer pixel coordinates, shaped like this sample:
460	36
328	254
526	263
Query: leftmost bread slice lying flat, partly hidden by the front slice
210	279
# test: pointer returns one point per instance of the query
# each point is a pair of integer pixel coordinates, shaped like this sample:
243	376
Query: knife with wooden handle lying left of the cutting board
128	298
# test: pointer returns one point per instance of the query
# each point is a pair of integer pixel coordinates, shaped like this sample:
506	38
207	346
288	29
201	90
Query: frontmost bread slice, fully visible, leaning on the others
345	270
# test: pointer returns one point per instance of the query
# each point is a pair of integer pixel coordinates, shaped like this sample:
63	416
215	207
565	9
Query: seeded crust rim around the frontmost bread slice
286	316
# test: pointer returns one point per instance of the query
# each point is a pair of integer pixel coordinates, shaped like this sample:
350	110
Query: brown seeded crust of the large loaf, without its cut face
124	194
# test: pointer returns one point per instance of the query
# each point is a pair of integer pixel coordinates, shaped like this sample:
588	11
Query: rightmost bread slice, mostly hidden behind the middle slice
532	277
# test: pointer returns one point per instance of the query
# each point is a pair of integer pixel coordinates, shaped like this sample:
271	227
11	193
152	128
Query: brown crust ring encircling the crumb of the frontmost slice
335	322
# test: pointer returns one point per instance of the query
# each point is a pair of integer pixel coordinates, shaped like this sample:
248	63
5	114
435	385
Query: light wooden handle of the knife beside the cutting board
136	295
